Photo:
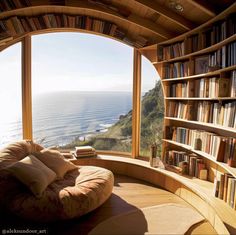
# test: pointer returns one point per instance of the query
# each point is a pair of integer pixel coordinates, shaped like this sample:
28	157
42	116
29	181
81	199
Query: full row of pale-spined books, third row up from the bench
217	113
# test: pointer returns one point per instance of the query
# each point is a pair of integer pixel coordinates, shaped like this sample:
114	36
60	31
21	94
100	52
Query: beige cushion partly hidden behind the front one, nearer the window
55	161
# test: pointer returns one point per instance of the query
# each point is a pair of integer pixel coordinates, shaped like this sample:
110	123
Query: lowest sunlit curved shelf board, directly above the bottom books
229	169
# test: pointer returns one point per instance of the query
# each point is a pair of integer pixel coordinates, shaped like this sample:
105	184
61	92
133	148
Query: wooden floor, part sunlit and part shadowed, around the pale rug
128	194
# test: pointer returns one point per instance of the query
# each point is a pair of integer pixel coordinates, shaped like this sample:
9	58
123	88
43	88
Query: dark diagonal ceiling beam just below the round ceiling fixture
166	12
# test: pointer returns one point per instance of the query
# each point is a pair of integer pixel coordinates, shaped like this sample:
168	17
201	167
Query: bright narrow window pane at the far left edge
10	95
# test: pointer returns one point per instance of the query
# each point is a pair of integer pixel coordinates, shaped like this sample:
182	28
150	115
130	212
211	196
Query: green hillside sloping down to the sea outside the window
118	136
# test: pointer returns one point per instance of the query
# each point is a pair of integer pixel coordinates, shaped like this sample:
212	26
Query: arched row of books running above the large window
19	25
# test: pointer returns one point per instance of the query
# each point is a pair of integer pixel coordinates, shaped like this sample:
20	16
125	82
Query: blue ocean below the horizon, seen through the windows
60	117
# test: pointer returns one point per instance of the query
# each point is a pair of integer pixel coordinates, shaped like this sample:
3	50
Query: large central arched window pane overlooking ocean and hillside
82	91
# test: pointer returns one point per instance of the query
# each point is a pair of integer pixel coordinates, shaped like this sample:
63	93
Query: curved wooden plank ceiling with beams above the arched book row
145	22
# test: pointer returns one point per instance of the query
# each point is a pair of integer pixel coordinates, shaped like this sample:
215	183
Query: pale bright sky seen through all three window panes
72	61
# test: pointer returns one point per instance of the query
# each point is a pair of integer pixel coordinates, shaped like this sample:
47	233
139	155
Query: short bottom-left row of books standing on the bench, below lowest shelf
187	164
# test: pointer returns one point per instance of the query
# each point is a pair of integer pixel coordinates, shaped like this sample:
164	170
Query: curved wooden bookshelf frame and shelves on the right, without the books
152	53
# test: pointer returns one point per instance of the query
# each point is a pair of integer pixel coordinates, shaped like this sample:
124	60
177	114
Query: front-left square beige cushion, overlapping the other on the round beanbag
33	173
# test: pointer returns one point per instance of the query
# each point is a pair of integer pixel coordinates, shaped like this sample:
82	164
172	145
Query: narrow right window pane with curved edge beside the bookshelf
152	109
